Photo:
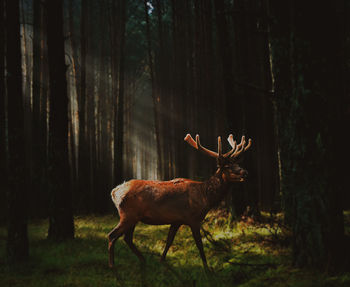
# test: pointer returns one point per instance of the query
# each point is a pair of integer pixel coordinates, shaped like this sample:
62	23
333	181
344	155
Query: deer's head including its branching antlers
228	163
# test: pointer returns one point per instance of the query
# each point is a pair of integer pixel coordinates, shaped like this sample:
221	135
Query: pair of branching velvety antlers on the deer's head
233	153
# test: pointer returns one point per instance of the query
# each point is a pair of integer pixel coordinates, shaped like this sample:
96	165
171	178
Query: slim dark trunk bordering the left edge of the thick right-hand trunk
269	192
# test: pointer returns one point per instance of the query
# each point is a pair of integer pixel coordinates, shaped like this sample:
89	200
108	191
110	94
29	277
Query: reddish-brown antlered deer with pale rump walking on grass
176	202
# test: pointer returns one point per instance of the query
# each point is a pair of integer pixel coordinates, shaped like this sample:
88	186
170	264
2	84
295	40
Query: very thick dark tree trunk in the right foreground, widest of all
311	121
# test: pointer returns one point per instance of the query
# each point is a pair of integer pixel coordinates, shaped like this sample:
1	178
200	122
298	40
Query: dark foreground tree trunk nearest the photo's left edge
17	241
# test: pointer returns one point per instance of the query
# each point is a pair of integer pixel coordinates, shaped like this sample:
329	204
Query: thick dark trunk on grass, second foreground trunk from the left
61	219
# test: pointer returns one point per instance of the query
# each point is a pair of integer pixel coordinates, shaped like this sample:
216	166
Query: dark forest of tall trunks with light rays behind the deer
94	93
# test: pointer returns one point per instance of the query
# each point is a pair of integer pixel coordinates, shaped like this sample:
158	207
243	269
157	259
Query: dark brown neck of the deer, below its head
216	189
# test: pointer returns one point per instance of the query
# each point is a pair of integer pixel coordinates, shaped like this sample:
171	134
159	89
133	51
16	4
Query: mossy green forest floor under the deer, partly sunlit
244	253
